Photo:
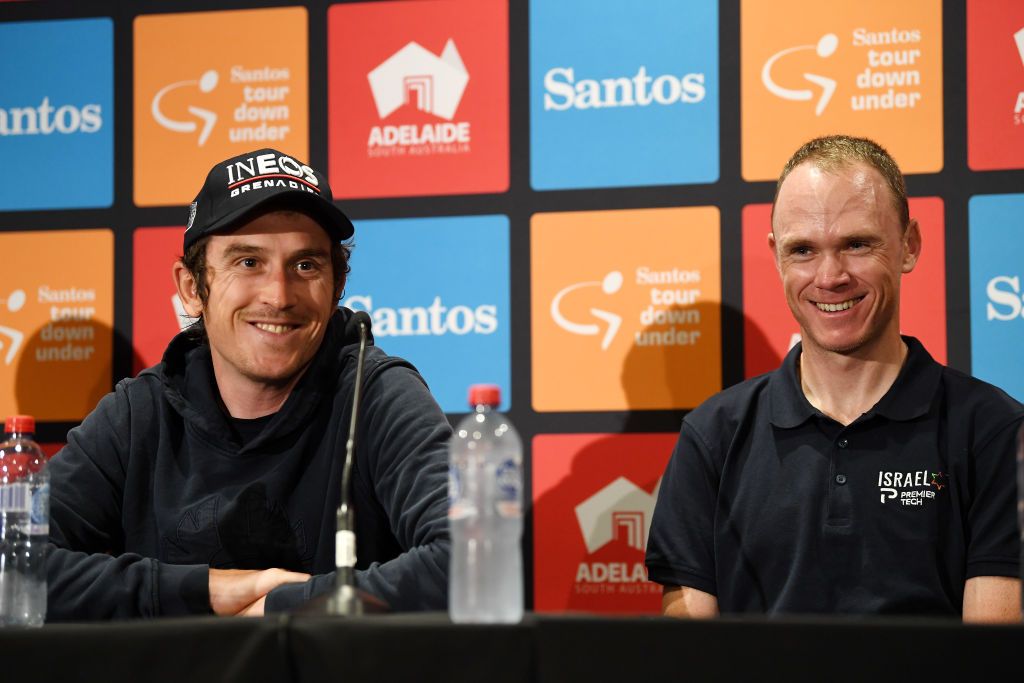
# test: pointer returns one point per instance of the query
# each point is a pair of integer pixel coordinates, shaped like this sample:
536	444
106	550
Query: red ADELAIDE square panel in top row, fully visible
418	98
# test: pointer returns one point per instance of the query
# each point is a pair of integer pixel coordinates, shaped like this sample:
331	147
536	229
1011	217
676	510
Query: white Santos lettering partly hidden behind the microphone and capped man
436	320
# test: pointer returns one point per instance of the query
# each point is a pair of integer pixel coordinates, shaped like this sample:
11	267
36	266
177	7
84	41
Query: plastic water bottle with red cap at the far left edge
25	522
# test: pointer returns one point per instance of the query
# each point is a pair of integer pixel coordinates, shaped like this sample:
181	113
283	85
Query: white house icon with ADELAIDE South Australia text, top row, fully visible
432	83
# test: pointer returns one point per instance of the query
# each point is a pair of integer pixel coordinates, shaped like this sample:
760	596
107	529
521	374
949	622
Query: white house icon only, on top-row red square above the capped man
416	76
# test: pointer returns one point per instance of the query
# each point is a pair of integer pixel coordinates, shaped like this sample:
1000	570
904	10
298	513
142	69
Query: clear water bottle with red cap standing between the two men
486	515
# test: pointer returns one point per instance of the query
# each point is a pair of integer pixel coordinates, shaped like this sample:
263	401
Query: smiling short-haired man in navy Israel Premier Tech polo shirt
862	477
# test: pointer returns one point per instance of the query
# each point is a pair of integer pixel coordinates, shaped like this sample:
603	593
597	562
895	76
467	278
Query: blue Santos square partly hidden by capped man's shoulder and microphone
438	293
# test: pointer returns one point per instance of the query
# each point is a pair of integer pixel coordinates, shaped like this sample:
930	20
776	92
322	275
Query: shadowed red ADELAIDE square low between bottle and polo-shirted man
593	500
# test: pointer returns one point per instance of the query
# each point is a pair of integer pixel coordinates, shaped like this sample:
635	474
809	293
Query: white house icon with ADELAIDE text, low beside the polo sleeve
622	511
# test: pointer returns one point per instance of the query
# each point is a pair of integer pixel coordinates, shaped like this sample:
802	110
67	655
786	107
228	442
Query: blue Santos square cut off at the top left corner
57	115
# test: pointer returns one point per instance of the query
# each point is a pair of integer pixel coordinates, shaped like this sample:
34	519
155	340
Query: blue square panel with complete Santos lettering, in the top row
632	101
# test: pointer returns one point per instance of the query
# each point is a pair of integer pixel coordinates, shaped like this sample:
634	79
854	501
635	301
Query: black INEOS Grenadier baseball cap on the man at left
243	187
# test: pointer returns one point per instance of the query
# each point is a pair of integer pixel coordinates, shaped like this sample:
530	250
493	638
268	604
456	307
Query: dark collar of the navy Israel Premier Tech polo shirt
911	396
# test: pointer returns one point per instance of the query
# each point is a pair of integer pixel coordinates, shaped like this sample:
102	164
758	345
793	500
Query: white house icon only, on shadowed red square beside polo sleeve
621	511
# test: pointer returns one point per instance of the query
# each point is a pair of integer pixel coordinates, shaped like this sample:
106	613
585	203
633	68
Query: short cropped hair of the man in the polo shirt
835	152
